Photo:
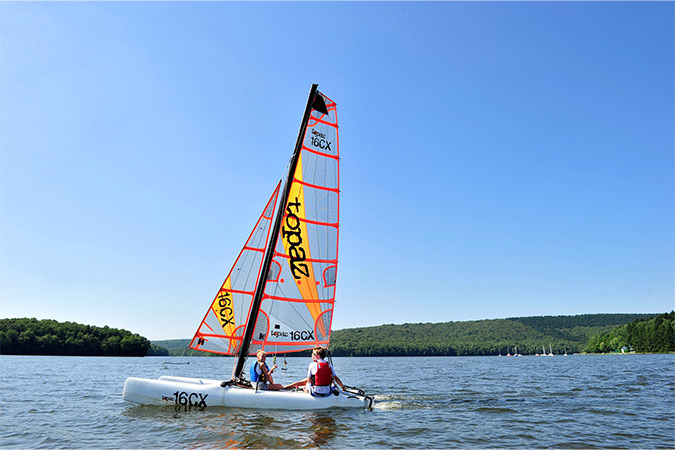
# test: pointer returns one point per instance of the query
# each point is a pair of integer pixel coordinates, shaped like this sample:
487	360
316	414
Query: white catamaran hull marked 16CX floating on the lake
201	393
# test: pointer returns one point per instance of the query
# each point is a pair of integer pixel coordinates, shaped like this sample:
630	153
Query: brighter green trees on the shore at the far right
655	335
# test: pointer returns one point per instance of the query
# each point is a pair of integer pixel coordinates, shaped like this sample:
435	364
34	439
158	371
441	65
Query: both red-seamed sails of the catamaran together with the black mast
294	310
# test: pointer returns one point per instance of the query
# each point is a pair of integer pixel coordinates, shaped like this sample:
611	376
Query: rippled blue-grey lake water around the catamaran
613	401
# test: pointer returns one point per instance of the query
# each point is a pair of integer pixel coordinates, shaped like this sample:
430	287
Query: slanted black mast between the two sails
269	254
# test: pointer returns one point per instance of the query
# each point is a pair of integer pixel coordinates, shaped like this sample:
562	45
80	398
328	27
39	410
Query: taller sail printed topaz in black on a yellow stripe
297	306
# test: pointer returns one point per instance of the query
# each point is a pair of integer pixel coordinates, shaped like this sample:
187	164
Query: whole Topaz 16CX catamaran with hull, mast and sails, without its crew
280	292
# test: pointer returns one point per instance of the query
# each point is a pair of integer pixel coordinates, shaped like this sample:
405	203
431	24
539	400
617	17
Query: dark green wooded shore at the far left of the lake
49	337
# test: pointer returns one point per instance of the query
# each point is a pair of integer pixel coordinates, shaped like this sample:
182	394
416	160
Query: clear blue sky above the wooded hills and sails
498	159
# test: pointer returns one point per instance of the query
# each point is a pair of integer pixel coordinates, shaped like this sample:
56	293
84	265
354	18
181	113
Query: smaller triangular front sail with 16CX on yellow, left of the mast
222	328
